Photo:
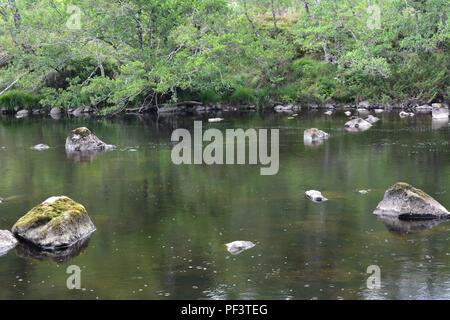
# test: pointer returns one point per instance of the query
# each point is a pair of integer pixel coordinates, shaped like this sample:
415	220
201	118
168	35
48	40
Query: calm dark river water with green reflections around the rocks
162	229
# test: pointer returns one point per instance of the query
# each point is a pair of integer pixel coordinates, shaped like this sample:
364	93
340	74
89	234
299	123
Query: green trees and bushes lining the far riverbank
136	56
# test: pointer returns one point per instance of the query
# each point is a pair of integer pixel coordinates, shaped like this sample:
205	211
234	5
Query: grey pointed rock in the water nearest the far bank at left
82	139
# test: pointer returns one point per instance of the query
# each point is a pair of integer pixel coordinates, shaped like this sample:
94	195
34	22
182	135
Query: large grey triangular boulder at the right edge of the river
408	203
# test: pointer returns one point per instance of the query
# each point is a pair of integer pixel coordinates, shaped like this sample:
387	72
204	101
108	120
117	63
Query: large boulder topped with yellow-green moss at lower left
57	222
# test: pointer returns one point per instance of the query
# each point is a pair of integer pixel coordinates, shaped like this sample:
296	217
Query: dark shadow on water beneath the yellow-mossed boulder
27	250
